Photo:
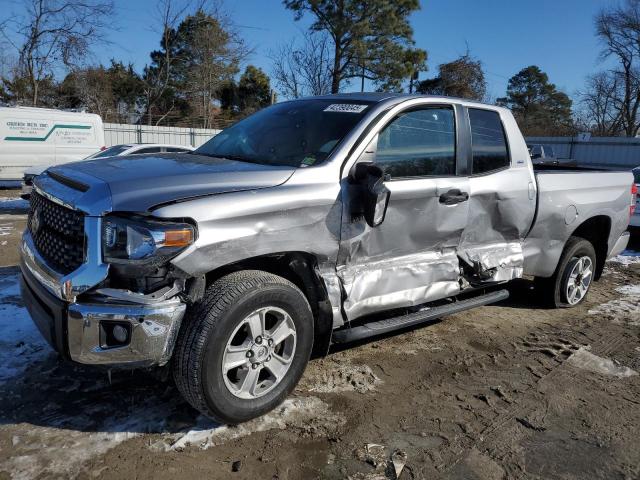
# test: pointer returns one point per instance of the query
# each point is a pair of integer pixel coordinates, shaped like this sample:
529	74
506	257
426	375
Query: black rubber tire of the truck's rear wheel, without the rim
553	290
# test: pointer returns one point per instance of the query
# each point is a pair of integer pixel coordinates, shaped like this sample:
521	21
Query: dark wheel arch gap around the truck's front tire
300	268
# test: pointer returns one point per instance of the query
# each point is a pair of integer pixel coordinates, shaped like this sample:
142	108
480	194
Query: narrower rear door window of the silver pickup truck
488	141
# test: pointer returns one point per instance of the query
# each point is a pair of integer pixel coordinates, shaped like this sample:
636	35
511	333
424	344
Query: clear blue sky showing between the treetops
506	35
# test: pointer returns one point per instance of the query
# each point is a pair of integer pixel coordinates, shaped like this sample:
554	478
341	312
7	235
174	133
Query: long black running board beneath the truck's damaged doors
390	324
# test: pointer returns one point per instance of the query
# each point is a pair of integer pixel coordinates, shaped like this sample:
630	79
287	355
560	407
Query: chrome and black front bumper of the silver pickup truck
76	330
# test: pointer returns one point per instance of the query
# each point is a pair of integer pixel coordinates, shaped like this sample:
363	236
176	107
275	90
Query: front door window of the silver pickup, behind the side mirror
418	143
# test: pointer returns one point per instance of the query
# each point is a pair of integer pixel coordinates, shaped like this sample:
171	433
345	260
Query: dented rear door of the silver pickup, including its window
502	201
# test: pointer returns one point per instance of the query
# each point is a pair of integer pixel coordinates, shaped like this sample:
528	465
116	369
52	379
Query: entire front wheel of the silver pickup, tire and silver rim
244	347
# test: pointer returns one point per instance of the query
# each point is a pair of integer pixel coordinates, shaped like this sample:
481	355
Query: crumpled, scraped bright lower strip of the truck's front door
399	282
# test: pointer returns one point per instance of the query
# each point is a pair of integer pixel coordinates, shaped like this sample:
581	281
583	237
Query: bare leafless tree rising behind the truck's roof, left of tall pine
304	69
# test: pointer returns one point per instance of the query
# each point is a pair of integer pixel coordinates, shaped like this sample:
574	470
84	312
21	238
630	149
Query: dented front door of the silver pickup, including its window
411	257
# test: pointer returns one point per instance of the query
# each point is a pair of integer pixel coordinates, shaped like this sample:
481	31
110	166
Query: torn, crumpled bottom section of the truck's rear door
496	262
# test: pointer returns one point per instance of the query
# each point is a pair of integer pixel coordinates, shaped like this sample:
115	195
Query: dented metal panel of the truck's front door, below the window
408	260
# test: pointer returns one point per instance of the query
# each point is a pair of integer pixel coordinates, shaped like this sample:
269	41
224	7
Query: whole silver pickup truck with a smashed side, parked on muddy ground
316	221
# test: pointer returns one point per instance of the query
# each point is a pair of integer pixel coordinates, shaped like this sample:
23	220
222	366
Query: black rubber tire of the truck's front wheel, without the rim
206	329
